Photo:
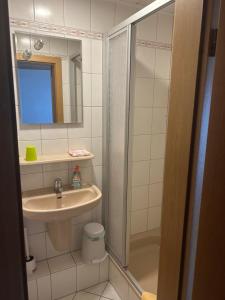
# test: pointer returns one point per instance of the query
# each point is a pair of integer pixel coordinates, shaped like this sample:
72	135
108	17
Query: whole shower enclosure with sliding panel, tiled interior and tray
133	141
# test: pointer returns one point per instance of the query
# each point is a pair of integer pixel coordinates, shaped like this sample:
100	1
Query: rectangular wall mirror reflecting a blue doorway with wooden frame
49	79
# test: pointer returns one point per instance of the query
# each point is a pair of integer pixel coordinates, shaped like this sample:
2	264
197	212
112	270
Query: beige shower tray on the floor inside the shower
144	263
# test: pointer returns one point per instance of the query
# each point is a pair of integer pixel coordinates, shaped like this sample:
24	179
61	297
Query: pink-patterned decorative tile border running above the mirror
55	29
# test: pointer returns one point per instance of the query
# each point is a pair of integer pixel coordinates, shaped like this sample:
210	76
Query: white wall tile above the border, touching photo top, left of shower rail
102	15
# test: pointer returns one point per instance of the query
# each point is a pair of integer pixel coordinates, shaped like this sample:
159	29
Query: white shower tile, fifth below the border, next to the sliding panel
140	173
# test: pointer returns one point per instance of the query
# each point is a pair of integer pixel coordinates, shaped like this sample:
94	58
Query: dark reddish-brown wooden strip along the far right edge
209	270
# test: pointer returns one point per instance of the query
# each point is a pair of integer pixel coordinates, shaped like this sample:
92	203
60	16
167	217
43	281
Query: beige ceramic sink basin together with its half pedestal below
57	213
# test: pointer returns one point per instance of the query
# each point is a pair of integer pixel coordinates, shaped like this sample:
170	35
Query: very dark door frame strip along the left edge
12	258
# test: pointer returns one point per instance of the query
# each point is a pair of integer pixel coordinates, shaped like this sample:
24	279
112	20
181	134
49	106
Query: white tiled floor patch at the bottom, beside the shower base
102	291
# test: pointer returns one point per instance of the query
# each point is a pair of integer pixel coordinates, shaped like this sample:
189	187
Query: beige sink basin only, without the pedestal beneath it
73	203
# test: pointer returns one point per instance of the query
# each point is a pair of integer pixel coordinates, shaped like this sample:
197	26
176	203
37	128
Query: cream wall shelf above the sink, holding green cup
49	159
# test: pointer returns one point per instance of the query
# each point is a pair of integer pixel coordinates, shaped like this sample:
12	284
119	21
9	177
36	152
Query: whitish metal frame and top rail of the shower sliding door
128	24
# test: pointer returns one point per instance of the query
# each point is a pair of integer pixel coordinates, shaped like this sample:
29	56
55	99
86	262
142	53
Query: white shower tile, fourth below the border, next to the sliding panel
141	147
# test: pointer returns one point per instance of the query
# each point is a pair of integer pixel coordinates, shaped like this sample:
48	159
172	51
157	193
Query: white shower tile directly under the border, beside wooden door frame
162	64
